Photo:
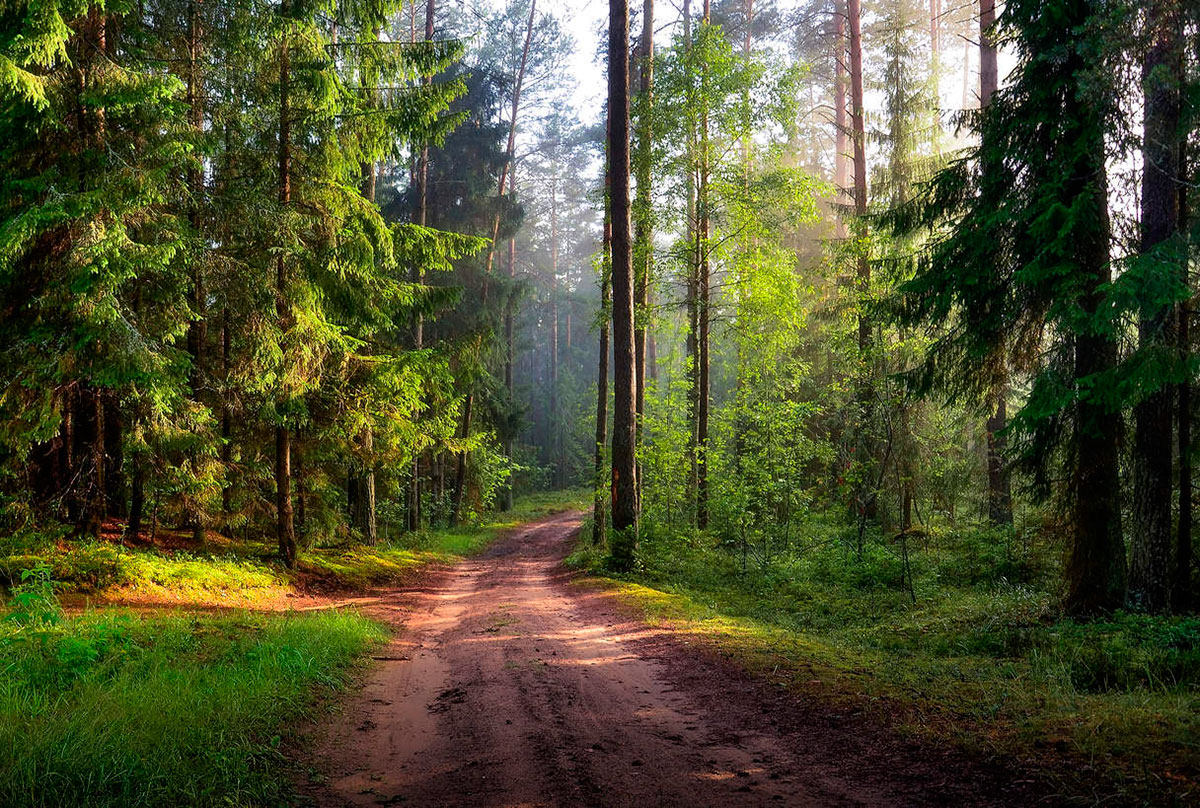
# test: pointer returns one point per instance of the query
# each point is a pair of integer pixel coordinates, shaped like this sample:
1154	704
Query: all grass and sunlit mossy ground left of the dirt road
113	708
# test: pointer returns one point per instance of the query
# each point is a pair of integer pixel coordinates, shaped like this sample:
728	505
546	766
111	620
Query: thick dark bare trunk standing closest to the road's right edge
625	482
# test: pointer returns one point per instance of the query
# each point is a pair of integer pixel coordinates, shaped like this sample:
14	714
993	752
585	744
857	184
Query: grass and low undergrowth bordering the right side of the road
977	655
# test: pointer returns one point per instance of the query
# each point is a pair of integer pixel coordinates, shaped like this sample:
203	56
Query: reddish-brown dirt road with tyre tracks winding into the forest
509	687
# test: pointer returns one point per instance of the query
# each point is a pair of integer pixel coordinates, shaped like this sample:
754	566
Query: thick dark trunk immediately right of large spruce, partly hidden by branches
1150	578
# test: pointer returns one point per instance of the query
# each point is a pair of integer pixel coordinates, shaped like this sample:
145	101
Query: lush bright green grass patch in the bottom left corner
115	709
